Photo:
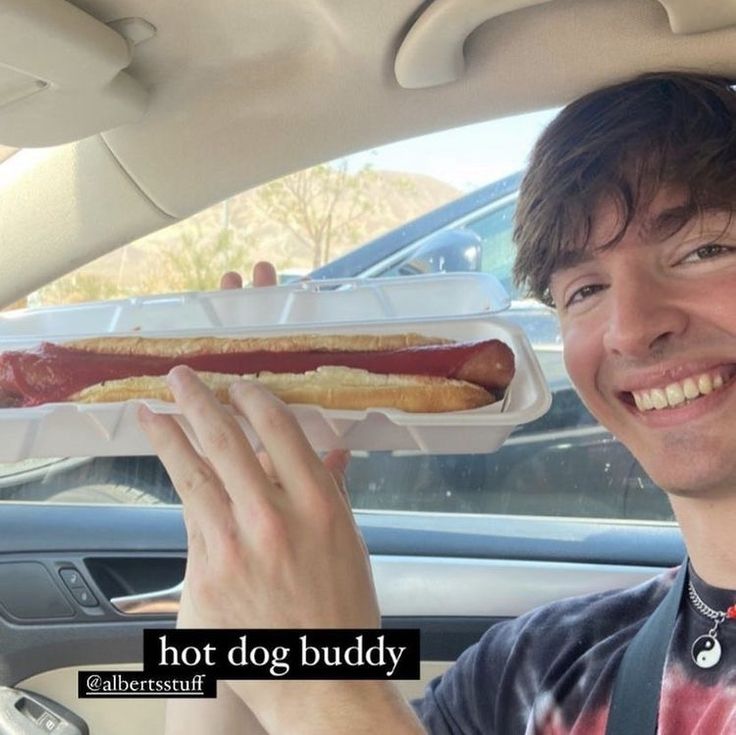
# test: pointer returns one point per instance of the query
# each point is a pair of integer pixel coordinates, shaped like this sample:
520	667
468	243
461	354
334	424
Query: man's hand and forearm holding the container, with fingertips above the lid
272	544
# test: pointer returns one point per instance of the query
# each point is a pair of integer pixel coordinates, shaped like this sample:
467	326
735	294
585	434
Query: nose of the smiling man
643	316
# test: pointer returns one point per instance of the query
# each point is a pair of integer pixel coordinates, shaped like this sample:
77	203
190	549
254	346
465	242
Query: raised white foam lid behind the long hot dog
298	304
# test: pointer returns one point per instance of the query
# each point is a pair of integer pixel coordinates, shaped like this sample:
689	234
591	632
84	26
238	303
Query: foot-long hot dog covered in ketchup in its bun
405	371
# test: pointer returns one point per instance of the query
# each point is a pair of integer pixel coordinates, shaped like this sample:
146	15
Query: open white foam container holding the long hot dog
458	306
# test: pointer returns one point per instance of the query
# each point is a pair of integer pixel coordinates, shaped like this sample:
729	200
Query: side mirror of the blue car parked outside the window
445	251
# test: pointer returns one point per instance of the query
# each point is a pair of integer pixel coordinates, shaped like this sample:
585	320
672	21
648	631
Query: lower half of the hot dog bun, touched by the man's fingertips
328	386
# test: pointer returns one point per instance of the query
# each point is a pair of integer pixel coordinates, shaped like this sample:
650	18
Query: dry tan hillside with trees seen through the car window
298	222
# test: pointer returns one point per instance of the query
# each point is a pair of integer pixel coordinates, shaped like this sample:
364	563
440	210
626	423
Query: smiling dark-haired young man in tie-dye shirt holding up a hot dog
625	225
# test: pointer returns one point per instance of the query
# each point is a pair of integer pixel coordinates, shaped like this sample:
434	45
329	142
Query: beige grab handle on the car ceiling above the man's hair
432	52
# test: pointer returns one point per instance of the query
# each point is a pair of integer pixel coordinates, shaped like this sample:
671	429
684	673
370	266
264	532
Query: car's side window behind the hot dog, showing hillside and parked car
405	219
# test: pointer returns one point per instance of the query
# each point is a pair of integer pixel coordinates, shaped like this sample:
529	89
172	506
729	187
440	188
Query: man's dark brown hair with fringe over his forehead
624	142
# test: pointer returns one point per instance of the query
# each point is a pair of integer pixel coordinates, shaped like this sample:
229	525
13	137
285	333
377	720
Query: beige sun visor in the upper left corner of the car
61	75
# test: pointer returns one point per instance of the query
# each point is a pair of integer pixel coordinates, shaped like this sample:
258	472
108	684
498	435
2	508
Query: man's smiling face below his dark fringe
649	331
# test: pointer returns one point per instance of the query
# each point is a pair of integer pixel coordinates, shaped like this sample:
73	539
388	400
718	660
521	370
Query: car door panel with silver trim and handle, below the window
450	576
